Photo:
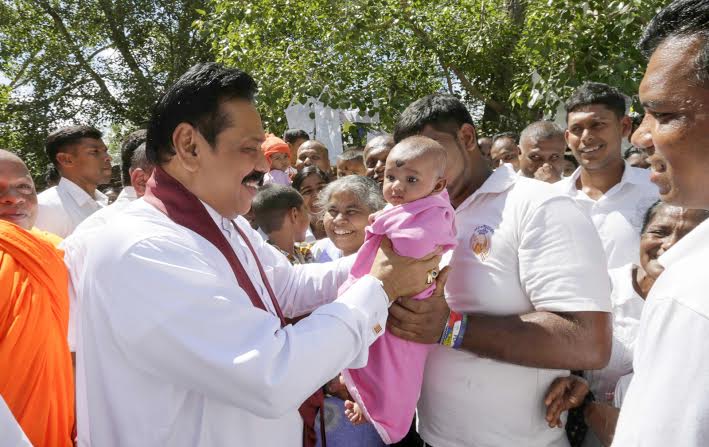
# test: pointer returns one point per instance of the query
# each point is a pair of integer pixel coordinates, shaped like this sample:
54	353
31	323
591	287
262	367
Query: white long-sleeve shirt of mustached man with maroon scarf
172	352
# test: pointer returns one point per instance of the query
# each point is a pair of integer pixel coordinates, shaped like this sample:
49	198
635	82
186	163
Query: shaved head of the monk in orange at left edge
18	197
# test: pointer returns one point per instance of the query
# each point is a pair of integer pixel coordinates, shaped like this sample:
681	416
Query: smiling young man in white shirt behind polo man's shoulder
614	194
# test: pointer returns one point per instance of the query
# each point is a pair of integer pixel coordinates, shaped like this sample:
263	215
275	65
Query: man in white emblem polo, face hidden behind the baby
530	275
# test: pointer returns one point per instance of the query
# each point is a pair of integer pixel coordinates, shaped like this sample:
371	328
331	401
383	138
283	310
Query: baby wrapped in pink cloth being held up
418	219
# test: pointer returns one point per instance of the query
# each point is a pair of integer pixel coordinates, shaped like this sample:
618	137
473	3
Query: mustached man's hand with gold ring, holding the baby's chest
403	276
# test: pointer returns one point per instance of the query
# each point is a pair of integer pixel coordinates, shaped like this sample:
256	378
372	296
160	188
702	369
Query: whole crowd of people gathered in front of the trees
433	288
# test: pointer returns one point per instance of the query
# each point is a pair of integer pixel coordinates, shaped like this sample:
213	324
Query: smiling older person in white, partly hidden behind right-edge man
663	226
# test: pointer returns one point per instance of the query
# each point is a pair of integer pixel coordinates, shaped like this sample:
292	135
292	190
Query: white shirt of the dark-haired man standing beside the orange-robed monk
63	207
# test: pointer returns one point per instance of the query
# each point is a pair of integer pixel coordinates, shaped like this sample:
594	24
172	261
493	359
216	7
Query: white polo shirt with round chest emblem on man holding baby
521	247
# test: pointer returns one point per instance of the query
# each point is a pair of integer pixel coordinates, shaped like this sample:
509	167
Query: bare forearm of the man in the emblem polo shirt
578	340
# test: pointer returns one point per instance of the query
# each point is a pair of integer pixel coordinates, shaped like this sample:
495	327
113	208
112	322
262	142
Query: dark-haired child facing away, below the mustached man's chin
280	212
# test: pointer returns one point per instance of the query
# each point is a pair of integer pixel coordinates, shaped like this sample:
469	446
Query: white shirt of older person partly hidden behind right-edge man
627	308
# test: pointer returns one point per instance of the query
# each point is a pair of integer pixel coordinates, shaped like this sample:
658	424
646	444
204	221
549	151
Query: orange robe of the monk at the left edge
36	378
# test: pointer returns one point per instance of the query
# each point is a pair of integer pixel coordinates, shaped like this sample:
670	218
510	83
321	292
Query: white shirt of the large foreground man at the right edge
667	403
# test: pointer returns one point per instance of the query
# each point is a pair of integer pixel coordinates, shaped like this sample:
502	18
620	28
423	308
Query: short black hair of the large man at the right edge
681	18
